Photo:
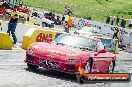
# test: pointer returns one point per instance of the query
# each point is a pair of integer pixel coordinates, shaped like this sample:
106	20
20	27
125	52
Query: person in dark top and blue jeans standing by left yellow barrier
12	26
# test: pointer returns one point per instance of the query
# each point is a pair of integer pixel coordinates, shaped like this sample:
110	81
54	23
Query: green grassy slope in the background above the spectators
97	9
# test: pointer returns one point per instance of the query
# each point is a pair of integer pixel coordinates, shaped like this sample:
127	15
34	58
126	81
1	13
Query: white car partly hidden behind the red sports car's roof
89	31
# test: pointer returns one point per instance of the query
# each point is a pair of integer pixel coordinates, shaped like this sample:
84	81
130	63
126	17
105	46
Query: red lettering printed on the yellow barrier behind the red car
44	38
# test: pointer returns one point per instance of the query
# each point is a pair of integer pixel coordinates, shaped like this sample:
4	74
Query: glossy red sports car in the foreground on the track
69	52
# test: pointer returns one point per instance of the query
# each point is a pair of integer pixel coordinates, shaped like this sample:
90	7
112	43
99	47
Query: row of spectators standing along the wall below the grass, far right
118	21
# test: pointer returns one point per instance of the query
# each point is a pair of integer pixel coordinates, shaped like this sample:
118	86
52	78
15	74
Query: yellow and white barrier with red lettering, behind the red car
39	35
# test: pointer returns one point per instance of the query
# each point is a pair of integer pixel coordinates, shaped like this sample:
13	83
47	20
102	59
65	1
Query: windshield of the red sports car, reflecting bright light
76	41
